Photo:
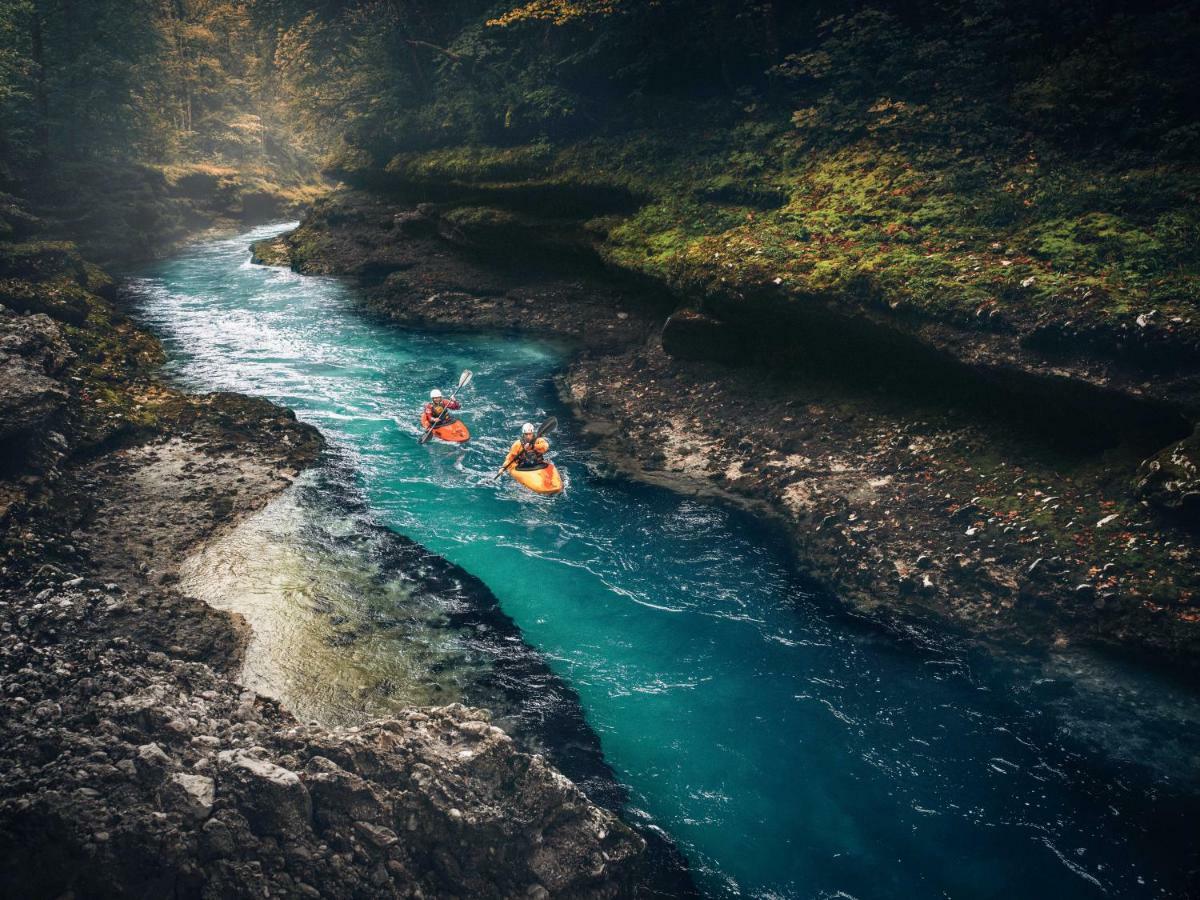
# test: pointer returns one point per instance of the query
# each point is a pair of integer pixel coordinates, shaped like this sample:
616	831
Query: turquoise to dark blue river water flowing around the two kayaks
788	749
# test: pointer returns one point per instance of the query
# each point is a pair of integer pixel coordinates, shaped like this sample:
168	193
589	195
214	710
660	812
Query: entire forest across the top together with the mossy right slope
977	157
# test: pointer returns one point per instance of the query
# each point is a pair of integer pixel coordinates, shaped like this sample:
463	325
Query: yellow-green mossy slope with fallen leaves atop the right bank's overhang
884	220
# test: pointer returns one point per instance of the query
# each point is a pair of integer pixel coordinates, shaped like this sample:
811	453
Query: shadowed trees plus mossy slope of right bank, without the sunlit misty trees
991	163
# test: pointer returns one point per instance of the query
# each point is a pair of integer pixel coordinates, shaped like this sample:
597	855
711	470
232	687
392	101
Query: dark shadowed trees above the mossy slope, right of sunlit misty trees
419	74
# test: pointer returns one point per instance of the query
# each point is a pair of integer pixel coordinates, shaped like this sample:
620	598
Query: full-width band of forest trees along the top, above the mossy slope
215	79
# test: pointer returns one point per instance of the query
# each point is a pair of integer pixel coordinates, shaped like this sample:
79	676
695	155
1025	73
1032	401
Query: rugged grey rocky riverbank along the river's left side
131	761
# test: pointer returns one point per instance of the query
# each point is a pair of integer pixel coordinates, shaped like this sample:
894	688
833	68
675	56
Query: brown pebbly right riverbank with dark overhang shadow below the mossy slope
911	483
